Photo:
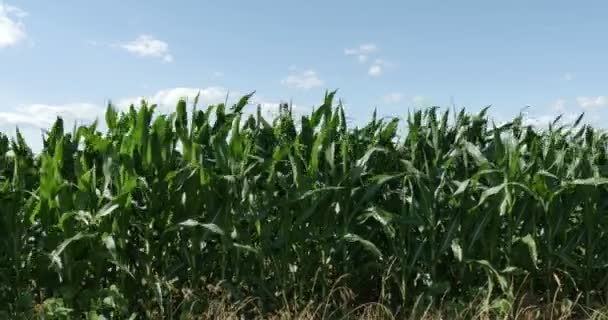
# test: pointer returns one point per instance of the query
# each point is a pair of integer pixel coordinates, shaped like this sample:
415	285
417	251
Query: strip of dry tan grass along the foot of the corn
526	308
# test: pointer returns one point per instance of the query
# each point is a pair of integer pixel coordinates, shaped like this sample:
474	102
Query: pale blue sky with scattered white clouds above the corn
69	57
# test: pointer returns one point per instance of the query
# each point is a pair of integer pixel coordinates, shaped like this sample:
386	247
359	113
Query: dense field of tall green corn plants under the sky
153	216
